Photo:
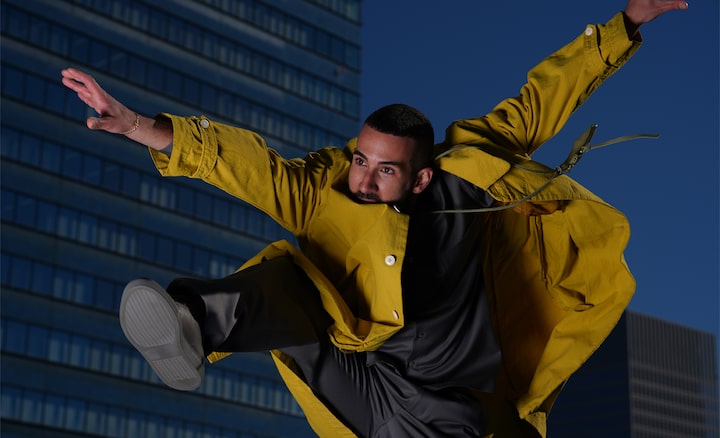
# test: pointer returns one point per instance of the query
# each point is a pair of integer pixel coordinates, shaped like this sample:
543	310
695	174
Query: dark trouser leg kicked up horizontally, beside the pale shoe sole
267	306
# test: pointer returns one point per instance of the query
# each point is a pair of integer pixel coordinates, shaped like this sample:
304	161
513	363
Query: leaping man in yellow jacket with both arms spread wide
496	310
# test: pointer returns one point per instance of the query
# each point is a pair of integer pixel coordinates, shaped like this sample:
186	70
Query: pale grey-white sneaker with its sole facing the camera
164	332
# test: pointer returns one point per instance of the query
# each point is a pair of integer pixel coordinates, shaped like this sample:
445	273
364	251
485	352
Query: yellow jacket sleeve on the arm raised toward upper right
555	88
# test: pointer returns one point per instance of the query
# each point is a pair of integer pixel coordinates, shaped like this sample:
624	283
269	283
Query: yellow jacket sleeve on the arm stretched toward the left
239	162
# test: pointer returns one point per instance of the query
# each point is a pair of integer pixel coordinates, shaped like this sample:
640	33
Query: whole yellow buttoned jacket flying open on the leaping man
555	273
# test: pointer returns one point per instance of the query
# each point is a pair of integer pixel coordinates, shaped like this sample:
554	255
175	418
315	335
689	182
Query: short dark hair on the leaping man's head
405	121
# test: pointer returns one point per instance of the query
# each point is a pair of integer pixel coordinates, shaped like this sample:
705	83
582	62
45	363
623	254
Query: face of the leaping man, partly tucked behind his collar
381	169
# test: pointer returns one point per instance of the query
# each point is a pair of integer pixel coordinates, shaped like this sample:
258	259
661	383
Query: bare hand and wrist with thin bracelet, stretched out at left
114	117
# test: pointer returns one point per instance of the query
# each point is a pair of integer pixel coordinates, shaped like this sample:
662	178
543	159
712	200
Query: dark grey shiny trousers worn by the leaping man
273	305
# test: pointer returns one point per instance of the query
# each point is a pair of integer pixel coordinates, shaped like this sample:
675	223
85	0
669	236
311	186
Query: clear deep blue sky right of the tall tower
458	60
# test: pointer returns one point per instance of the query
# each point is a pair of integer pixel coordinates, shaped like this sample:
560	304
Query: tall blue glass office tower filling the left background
83	212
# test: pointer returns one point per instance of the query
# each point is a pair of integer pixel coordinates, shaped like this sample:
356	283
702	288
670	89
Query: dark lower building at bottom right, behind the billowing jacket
650	379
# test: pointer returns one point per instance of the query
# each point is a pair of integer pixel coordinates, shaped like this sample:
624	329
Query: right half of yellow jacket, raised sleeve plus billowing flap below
557	282
